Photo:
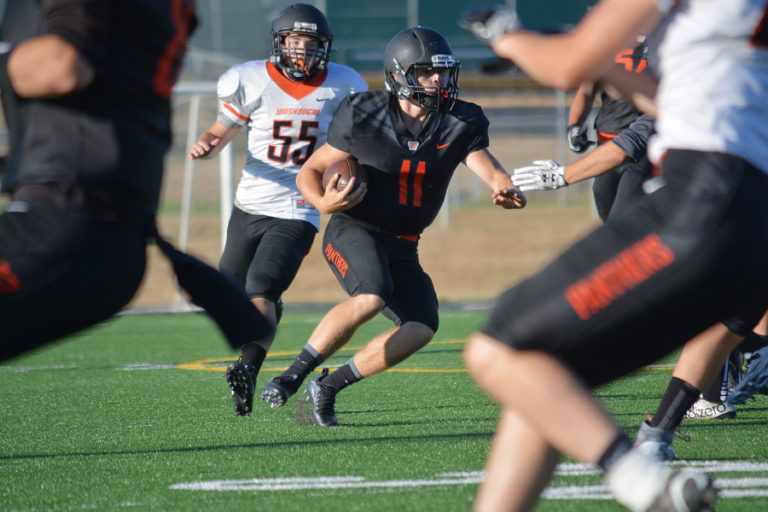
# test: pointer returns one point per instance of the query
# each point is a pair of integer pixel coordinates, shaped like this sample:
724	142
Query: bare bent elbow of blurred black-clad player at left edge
47	66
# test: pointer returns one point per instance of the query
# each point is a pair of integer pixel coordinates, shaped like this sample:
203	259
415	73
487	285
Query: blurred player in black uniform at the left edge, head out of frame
86	88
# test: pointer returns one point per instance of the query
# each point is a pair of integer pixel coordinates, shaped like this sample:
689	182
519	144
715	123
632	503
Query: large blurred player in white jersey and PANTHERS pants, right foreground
681	259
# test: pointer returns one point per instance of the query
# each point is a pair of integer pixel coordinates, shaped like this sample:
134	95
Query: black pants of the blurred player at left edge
61	271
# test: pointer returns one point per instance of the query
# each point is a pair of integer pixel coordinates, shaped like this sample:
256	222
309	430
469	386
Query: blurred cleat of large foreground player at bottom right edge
686	490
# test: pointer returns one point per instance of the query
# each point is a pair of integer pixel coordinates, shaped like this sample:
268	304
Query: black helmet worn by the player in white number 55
301	19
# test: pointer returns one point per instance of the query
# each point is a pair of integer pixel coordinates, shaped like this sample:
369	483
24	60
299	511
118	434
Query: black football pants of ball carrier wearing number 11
368	261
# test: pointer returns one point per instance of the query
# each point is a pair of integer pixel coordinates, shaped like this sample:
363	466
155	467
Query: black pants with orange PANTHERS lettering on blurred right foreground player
674	263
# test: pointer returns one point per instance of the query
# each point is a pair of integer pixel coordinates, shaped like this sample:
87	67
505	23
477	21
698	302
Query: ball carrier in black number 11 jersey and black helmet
410	139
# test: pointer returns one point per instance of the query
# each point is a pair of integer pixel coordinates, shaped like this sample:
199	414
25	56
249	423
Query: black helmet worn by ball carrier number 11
421	48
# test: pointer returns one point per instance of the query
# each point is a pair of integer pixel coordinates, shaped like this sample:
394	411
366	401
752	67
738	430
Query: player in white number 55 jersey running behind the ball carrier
286	103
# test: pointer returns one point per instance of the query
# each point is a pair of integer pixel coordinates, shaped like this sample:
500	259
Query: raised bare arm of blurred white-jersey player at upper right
566	60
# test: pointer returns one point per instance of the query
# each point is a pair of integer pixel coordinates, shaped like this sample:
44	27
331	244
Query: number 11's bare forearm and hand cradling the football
309	181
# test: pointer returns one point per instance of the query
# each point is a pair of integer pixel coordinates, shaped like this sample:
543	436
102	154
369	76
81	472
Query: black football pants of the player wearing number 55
264	253
